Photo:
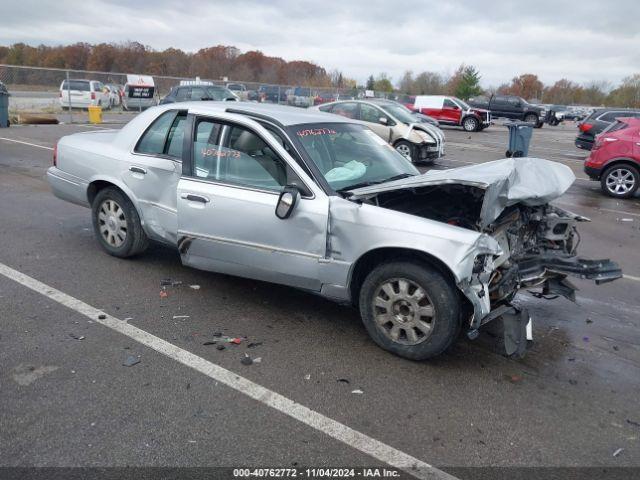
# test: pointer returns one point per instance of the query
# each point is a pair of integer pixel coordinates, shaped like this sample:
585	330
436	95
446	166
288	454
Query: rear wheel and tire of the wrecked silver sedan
116	224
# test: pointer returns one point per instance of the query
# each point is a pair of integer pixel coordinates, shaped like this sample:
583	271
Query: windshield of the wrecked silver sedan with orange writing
350	155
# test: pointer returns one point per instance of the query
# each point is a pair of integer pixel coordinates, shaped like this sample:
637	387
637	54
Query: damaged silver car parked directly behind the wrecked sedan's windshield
394	123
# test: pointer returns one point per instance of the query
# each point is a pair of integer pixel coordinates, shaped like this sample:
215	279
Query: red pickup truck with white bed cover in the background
452	111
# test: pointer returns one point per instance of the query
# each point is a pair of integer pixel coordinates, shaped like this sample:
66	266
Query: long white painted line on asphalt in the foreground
333	428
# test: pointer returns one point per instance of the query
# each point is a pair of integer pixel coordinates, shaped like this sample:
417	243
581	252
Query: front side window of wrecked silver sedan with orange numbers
238	156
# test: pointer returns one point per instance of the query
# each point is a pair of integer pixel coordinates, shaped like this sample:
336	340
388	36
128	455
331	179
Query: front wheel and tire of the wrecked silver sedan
410	309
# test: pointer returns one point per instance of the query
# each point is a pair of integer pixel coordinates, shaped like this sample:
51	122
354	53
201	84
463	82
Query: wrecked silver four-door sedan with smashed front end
321	203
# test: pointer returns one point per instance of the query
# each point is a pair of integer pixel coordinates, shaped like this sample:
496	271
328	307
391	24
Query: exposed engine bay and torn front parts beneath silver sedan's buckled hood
539	244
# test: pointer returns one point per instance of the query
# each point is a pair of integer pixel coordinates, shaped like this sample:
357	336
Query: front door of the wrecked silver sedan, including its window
226	209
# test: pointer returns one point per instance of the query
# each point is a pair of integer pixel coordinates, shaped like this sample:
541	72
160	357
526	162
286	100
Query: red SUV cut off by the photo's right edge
615	158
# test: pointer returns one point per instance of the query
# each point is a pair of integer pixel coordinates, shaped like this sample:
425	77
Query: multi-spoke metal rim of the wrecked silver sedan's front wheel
403	311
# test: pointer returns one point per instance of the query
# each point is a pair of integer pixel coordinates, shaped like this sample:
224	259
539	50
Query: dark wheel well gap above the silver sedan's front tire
367	262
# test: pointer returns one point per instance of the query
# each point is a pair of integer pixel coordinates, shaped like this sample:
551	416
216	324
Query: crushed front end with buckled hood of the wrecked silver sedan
507	200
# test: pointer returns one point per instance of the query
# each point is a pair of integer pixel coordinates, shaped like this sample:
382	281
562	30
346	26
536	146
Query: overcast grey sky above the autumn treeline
581	40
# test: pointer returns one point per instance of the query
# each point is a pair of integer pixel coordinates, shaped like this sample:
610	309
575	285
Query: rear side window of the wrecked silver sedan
164	136
